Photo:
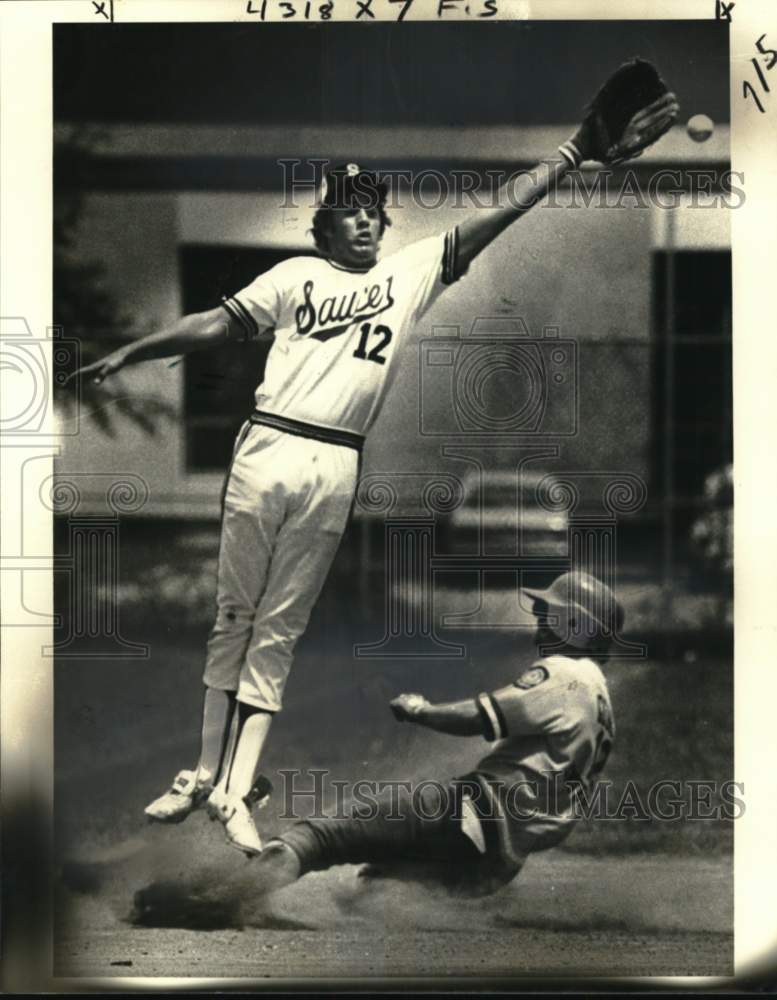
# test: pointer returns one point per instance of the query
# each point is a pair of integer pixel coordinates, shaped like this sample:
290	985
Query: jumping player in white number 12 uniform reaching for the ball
339	322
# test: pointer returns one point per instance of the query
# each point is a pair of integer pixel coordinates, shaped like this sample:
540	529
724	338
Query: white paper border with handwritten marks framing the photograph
26	694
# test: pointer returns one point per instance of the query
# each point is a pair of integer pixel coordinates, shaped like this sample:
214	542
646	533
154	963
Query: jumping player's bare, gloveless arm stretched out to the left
190	333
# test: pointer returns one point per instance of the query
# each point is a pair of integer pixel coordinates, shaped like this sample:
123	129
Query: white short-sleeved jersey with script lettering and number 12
326	320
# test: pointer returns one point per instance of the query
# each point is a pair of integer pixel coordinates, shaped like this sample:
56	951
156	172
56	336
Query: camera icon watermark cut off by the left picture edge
31	366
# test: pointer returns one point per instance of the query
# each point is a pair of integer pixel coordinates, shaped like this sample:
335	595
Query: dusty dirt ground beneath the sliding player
565	914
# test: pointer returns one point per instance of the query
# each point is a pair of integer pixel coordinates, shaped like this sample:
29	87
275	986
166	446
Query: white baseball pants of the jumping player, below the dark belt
286	506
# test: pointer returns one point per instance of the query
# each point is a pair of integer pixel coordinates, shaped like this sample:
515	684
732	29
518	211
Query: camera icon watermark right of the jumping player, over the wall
498	380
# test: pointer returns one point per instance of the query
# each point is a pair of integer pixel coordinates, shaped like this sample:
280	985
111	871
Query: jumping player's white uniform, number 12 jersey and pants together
338	333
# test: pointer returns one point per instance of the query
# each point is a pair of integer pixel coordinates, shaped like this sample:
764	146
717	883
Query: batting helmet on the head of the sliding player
580	609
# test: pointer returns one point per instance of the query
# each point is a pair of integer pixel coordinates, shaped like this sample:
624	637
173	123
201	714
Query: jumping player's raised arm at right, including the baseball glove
631	111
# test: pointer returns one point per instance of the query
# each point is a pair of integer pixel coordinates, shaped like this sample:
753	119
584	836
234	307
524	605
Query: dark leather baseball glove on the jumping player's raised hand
633	109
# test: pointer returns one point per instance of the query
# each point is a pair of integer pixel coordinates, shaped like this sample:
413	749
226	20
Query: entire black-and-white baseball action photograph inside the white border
392	500
